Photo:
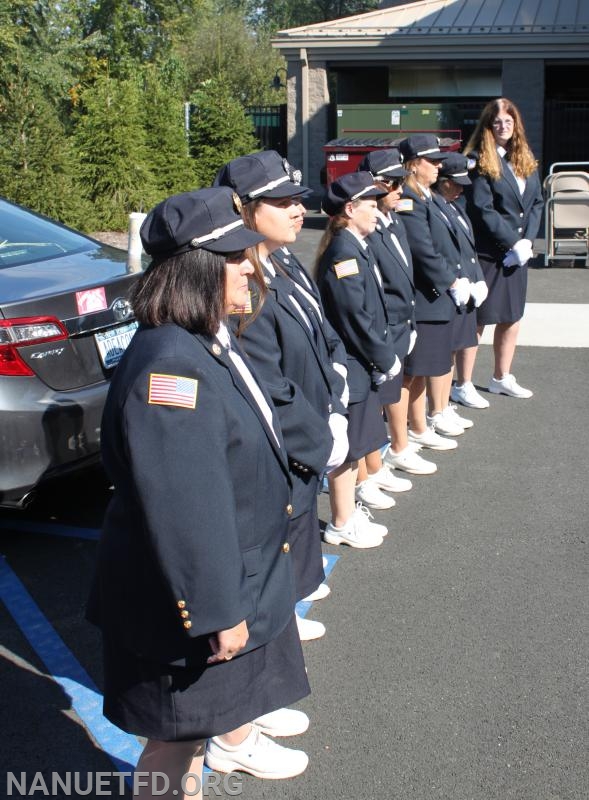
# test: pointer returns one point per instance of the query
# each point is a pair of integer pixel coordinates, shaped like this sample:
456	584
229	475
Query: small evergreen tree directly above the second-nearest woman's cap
220	129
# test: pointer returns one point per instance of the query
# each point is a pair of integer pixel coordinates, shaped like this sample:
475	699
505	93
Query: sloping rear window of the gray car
26	238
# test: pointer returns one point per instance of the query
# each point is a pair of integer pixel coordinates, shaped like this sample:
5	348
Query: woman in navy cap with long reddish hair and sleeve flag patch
353	298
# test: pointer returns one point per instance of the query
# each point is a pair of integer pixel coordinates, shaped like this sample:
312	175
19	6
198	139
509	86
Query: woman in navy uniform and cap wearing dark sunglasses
391	250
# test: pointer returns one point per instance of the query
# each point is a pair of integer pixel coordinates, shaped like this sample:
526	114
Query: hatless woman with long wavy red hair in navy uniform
505	205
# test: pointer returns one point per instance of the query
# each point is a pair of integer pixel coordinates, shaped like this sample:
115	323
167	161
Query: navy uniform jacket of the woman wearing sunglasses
397	280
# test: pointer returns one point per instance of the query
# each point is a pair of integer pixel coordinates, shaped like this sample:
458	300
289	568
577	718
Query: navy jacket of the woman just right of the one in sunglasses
436	257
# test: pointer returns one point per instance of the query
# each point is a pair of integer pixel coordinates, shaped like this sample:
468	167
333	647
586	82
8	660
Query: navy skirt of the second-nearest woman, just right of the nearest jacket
304	536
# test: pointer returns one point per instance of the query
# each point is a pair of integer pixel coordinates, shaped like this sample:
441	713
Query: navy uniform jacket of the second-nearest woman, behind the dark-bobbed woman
285	355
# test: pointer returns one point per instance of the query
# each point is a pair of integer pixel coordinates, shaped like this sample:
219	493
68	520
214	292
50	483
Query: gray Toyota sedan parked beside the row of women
65	321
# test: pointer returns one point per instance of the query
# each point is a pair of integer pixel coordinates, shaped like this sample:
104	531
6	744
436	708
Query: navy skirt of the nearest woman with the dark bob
171	704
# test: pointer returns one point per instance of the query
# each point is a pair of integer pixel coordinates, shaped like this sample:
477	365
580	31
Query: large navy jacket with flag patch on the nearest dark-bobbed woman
194	537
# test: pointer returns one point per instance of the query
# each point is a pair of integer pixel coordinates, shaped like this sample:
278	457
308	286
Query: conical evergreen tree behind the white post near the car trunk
112	156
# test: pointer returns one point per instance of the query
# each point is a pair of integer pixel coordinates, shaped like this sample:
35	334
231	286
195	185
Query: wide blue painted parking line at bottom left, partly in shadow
122	748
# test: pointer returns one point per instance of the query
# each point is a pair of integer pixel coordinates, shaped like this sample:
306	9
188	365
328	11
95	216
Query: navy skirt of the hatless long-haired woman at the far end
507	292
